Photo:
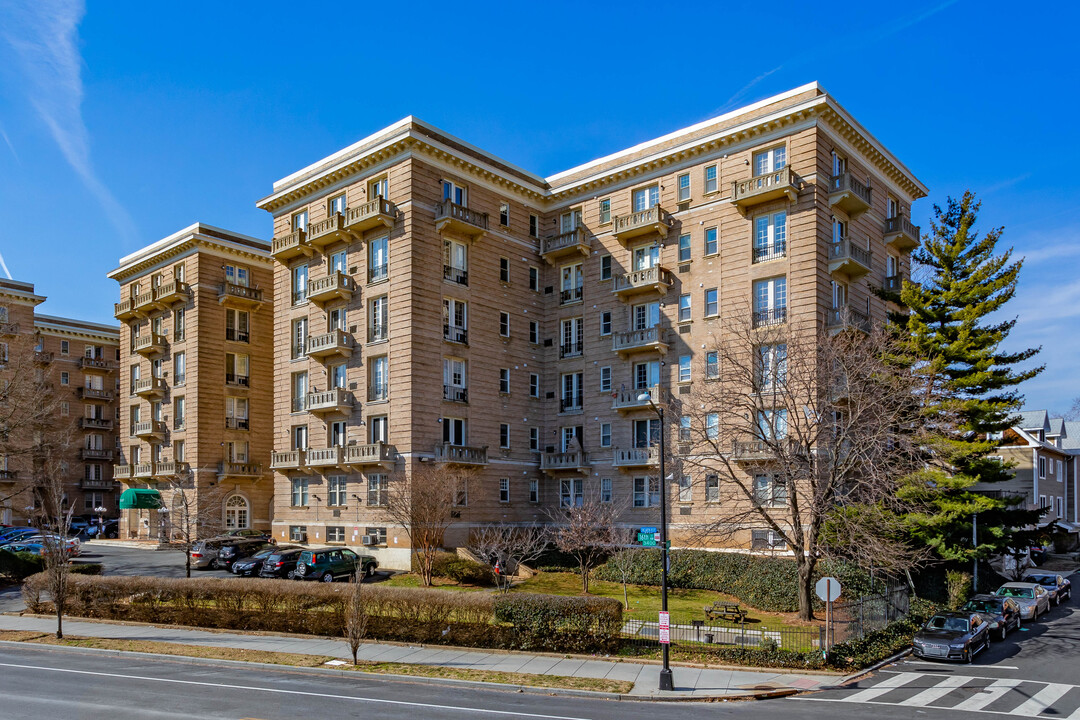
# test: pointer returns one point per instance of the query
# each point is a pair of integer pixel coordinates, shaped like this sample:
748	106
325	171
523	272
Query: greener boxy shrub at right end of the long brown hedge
556	622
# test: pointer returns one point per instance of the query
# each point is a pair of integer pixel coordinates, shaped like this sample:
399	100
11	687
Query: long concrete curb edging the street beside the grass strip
497	687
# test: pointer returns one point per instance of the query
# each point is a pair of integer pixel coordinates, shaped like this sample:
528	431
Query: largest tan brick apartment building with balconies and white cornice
437	304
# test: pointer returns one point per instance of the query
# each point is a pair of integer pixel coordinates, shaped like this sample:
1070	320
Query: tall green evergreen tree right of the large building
969	385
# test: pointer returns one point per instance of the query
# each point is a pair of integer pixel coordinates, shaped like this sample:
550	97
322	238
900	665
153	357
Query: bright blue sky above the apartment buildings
121	123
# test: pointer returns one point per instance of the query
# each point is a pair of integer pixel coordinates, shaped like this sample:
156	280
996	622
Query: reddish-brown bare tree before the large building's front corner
423	502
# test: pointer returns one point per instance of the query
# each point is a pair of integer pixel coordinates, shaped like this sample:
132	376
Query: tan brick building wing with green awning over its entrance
196	383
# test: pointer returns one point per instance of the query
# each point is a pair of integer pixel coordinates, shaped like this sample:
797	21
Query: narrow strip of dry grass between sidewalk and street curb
299	660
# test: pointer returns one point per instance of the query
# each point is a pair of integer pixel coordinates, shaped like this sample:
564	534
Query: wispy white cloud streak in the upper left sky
45	36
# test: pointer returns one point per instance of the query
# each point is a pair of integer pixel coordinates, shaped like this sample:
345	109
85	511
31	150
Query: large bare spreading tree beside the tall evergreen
801	436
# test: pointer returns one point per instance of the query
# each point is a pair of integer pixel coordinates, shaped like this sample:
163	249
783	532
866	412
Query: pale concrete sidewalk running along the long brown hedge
691	683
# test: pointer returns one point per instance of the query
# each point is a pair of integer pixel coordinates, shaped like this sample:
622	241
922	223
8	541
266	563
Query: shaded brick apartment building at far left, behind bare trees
78	360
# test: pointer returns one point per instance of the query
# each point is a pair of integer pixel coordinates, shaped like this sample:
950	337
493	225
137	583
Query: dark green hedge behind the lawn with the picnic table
765	583
